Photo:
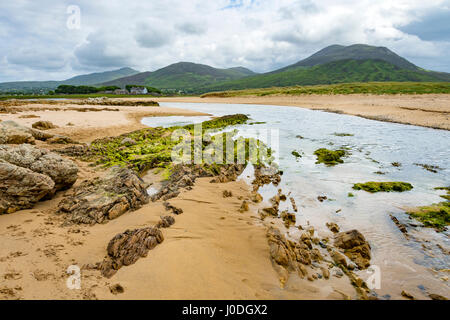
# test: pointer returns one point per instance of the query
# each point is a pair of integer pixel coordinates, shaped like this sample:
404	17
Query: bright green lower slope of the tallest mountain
343	71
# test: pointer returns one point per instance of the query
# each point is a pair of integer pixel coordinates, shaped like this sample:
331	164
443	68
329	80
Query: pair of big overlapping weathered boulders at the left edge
29	174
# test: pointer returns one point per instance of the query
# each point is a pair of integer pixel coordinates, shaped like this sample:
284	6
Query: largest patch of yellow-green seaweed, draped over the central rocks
154	146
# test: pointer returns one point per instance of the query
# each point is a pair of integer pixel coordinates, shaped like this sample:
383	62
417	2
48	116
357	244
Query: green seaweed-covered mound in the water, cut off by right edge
435	216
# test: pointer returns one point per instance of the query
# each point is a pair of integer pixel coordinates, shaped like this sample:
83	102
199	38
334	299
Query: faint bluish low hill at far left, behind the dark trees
87	79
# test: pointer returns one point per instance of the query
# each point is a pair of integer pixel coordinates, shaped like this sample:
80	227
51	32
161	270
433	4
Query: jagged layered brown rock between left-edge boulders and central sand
100	200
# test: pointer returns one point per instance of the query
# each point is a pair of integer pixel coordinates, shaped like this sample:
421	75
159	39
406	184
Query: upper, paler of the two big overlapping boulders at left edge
62	171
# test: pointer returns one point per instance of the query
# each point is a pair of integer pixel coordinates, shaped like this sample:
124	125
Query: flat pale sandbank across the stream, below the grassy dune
427	110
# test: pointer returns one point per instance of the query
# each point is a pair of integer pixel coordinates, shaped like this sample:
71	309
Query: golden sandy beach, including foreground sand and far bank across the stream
213	251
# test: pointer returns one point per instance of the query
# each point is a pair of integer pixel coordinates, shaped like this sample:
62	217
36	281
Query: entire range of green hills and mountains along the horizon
333	64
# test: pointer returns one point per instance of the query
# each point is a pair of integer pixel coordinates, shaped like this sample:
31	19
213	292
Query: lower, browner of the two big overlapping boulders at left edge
21	188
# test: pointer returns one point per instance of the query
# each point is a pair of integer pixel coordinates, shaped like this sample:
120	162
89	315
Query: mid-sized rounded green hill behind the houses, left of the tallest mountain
183	75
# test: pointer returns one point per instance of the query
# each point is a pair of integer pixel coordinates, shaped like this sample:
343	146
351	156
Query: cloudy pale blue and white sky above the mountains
43	40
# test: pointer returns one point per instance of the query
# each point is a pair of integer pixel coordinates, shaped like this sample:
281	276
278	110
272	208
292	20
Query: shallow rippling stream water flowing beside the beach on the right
374	145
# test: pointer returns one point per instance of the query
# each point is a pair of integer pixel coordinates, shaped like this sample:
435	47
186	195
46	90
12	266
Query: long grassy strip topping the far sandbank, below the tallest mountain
377	88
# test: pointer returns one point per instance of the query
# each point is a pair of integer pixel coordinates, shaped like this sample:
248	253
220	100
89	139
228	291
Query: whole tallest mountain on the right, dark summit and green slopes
337	64
